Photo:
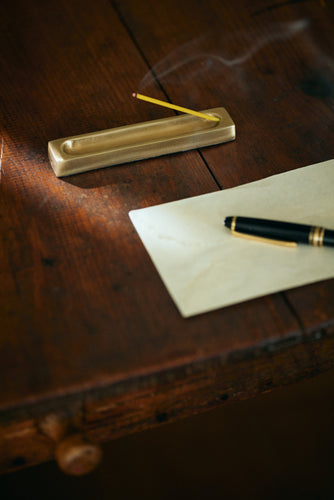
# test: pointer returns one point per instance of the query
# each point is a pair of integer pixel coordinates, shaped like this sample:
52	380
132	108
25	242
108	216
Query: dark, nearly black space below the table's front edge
276	446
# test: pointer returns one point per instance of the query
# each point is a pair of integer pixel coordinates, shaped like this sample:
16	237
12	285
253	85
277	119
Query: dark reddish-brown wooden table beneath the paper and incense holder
89	336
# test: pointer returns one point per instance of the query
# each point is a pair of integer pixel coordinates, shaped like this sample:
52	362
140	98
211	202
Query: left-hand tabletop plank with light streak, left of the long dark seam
85	305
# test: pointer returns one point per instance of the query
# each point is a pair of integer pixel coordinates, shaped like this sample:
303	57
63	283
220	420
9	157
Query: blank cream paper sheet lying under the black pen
204	267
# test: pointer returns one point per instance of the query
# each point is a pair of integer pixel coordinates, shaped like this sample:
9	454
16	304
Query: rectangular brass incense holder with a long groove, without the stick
80	153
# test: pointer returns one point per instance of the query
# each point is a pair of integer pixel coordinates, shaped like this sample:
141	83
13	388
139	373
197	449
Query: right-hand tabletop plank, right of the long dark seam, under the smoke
271	65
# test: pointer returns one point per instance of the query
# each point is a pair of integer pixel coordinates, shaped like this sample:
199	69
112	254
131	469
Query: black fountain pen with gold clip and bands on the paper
281	233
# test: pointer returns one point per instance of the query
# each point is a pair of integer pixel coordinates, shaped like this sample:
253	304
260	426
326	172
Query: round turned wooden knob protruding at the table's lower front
76	455
